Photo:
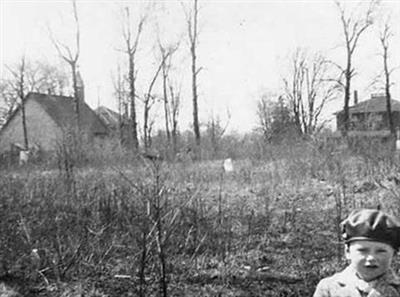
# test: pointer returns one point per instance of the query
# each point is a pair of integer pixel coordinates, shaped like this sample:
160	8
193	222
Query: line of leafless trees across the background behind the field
153	102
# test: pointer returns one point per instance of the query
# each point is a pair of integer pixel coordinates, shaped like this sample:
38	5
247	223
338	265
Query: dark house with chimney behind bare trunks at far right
369	118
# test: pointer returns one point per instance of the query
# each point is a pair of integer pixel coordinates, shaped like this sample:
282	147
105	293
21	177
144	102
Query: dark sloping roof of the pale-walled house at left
61	110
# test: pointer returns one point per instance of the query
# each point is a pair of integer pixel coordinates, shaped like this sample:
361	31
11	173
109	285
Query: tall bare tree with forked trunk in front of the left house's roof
71	56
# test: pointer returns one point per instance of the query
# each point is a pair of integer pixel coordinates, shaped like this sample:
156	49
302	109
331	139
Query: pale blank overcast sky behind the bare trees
243	50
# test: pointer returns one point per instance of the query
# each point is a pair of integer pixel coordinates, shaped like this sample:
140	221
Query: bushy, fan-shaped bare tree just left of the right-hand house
308	89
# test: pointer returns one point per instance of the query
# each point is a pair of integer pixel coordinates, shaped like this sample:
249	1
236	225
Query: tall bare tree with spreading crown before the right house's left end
353	29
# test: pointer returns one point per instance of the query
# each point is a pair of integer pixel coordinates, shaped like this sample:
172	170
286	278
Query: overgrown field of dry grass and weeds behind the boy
269	228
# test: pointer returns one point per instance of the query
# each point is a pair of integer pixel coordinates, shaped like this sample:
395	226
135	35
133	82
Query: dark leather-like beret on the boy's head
371	224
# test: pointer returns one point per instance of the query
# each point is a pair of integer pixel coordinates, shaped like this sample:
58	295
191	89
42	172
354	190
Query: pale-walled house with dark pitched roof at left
47	117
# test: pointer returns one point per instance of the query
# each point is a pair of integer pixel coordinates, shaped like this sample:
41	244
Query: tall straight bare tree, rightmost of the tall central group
193	34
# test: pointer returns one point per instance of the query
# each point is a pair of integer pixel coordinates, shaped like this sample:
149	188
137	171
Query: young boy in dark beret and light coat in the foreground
372	239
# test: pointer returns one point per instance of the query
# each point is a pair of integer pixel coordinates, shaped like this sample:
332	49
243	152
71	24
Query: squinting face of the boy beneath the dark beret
370	259
